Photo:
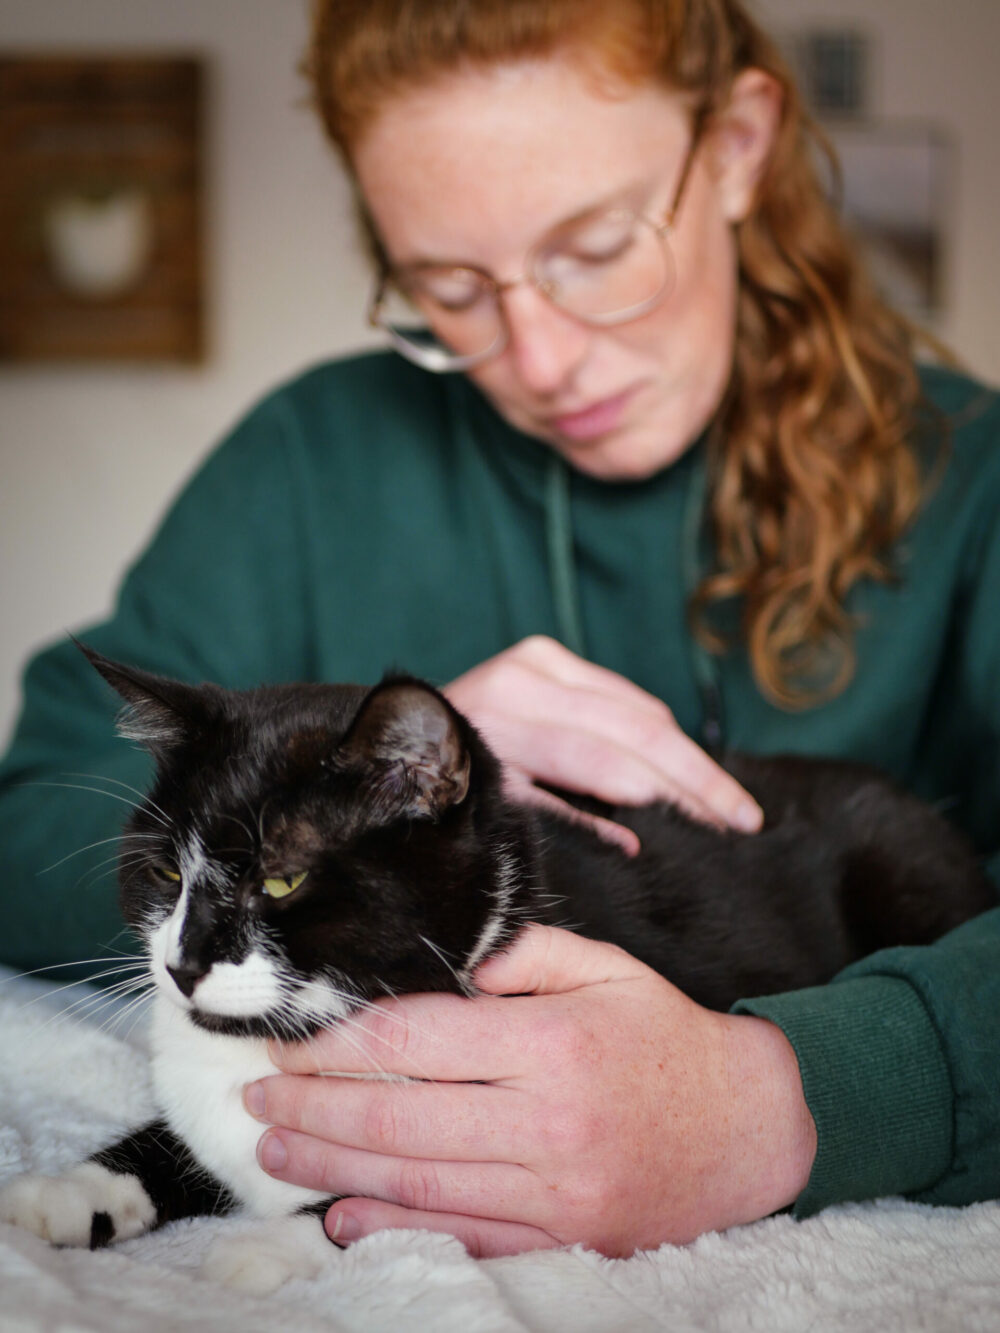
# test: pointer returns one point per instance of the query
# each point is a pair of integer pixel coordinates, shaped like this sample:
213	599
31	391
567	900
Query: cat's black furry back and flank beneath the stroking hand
845	864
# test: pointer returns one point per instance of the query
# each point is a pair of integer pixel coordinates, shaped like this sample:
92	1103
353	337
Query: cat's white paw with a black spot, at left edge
62	1210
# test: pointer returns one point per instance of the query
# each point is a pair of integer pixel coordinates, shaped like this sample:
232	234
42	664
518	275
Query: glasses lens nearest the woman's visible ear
606	270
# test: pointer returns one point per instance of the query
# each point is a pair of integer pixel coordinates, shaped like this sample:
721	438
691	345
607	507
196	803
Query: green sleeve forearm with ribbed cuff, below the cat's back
901	1071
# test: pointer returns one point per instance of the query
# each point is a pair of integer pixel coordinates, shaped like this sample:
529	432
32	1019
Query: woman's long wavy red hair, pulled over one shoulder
814	470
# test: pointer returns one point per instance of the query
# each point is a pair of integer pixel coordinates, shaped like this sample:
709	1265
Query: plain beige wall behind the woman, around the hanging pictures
90	457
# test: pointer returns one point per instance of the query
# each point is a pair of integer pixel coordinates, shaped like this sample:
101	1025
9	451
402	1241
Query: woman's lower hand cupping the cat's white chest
583	1099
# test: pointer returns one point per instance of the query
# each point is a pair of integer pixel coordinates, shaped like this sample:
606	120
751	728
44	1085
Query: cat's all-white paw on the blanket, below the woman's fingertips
269	1256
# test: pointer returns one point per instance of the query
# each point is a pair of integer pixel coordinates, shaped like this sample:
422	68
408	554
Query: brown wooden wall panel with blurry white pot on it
102	209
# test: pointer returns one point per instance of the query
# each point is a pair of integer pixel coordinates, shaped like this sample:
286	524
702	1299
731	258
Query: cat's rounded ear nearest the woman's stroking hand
409	740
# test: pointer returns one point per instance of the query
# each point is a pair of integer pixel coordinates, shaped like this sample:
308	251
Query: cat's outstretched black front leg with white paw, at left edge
143	1182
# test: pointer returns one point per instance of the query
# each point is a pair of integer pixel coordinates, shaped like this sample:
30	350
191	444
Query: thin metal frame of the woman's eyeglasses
441	362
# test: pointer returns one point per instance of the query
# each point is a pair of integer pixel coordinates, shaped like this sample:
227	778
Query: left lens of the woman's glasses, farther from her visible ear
442	319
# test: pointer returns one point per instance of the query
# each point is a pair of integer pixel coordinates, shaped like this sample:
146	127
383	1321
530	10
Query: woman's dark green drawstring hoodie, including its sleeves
370	517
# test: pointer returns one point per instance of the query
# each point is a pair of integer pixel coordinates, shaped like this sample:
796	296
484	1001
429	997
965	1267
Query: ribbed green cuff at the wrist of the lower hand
877	1083
